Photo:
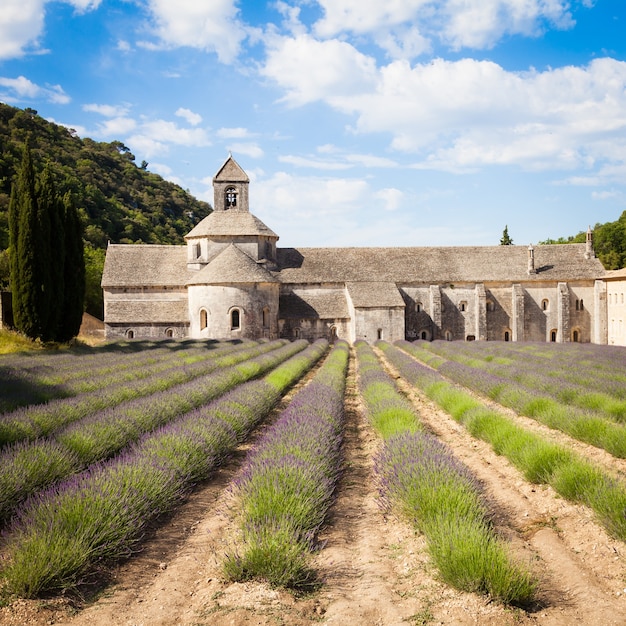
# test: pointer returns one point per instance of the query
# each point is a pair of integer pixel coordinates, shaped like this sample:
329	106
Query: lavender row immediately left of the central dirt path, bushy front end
288	482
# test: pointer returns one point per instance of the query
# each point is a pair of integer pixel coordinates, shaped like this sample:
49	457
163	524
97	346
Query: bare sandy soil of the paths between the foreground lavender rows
373	567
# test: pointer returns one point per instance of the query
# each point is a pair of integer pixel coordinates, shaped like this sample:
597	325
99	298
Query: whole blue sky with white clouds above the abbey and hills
359	122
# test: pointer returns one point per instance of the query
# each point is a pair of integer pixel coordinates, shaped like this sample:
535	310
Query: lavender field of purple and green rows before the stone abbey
100	449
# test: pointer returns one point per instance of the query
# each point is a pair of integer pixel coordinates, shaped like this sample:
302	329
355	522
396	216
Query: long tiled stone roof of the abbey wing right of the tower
562	262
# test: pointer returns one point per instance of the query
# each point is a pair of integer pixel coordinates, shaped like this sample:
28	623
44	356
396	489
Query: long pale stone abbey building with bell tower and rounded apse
231	280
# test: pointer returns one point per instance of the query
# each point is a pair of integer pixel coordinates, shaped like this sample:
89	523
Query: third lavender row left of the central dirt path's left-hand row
33	421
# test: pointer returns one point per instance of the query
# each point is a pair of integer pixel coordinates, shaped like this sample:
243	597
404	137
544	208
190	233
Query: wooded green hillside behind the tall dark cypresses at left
118	200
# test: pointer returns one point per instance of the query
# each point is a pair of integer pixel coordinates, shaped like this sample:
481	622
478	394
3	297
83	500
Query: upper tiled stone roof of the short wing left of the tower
145	265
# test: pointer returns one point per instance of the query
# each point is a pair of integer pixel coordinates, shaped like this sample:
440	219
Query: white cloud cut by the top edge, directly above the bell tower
211	26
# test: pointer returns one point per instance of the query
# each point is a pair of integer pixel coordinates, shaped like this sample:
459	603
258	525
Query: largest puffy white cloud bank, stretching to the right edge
459	115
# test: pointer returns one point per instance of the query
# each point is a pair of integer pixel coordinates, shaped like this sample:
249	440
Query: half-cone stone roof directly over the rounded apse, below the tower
232	265
